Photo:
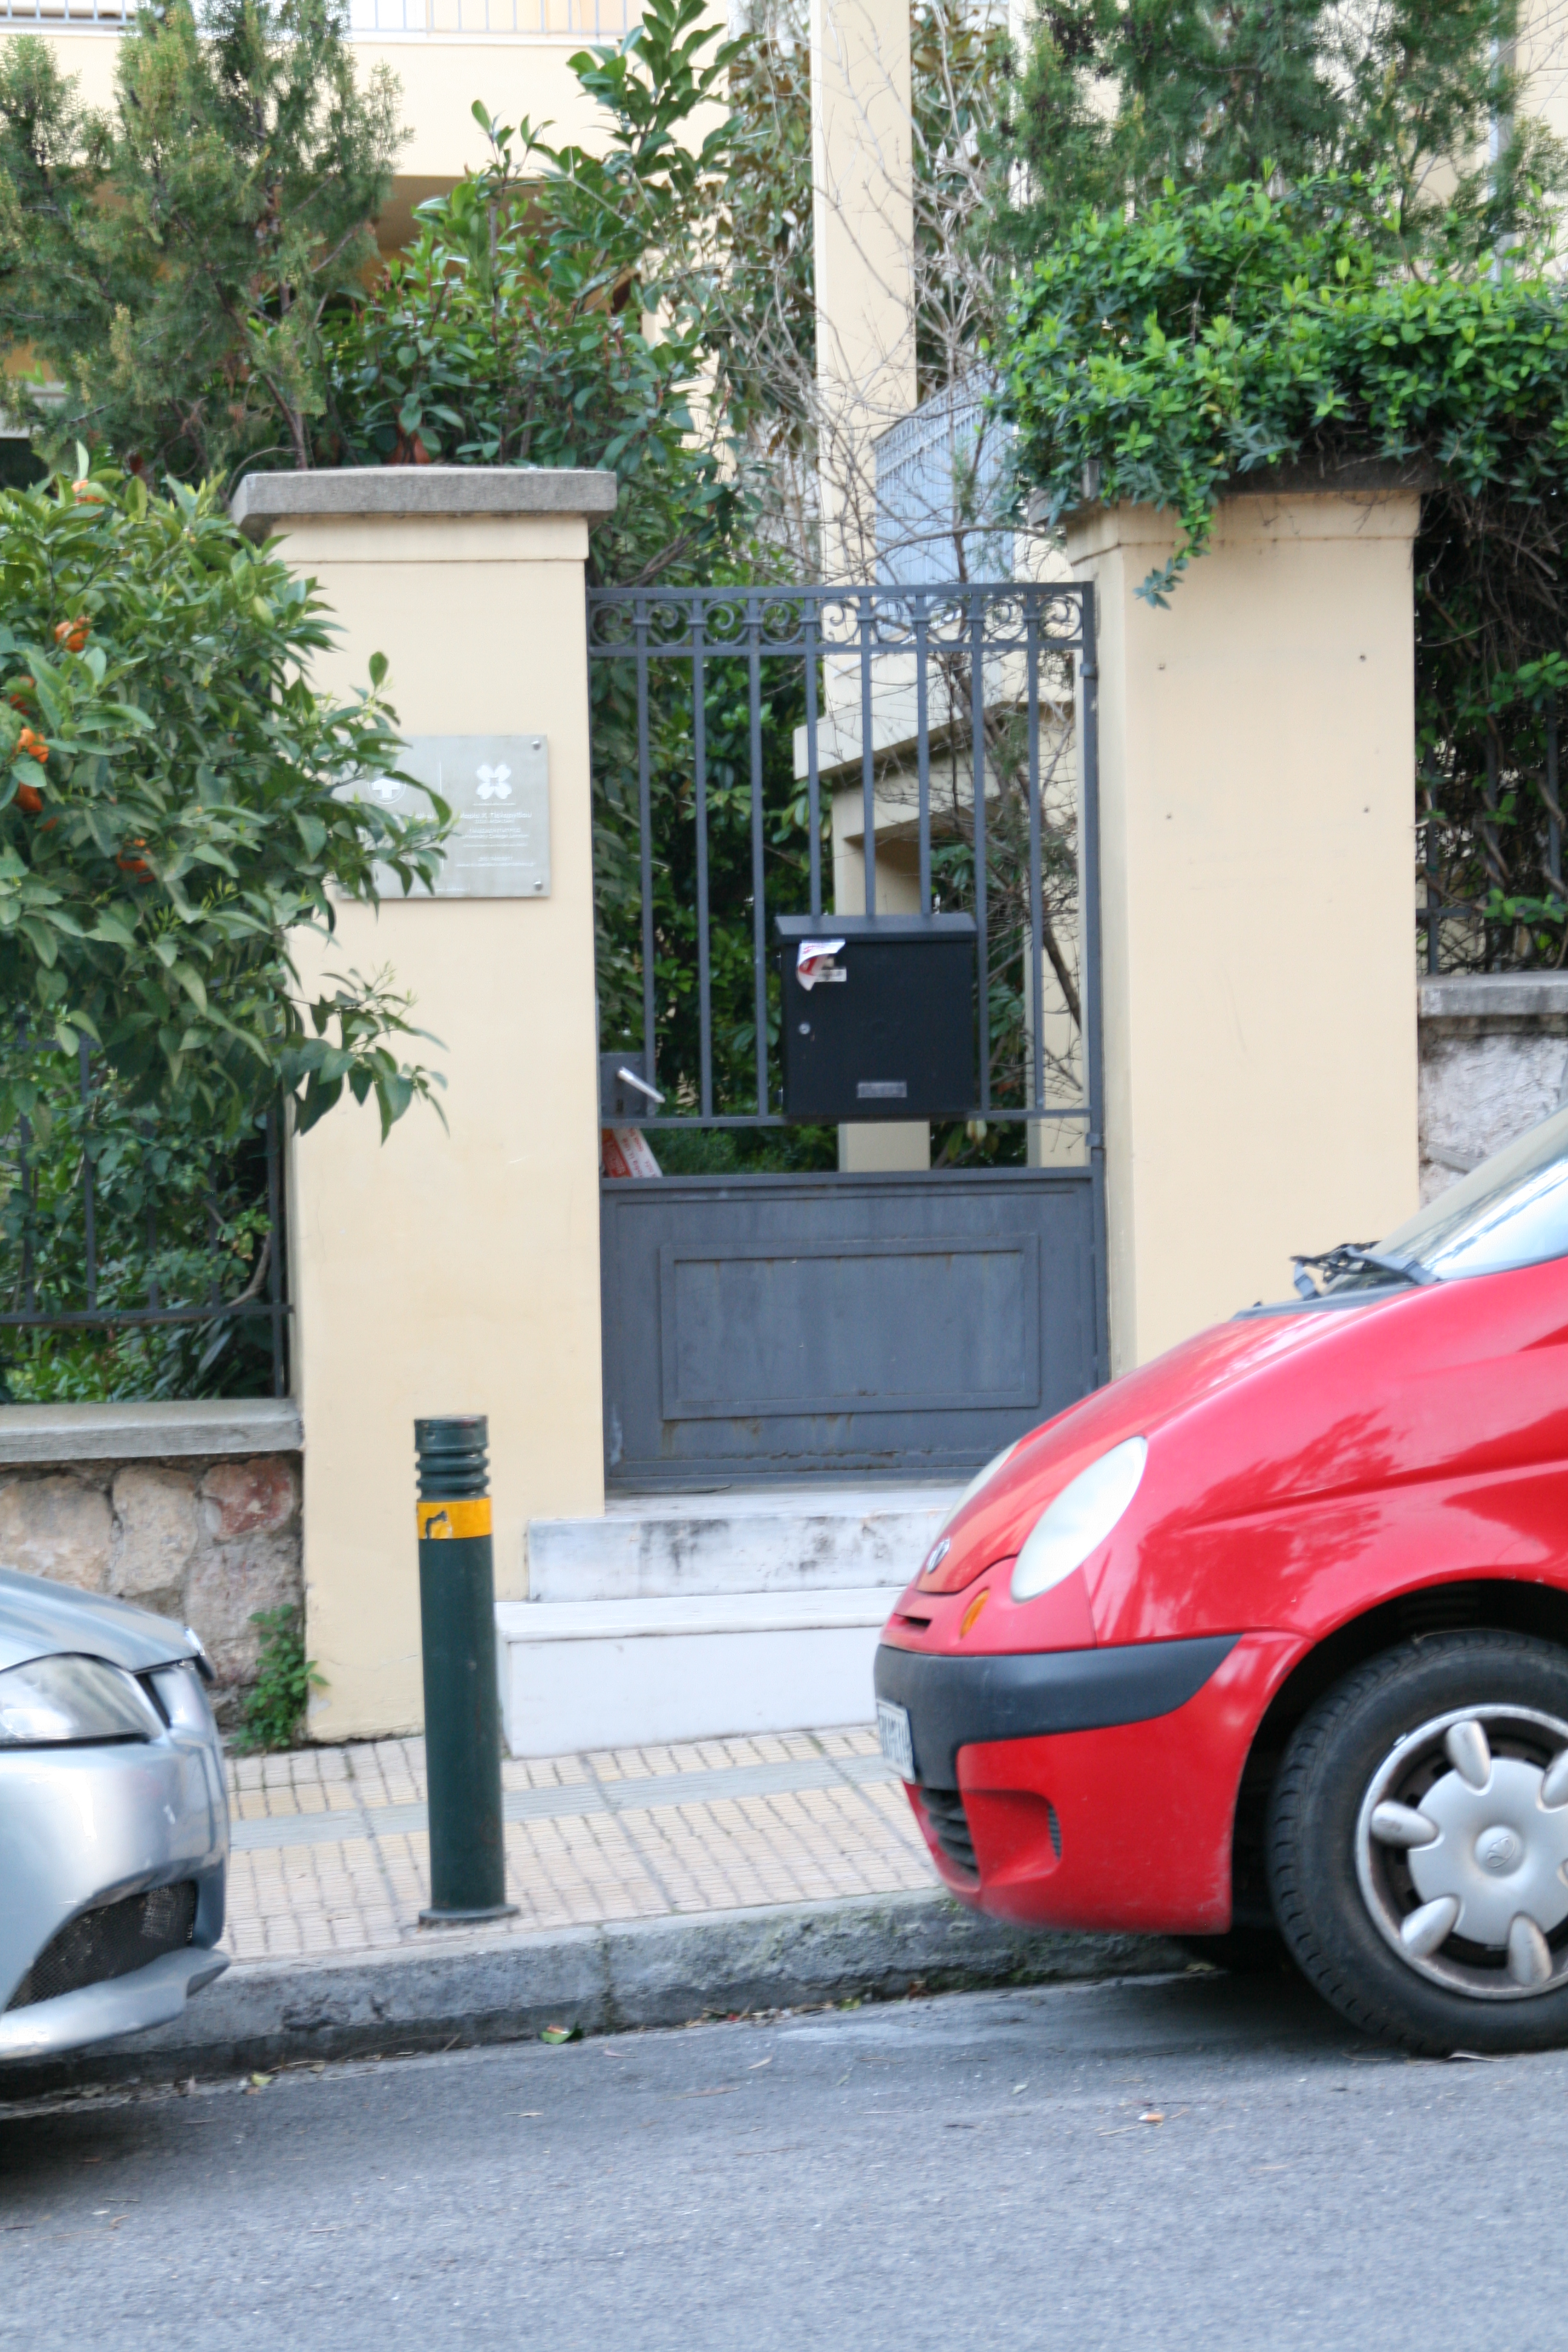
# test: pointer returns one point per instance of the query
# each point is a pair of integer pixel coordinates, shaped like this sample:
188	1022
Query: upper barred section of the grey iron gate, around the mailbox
749	737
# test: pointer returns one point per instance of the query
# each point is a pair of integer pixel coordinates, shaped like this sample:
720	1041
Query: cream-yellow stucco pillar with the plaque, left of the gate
450	1271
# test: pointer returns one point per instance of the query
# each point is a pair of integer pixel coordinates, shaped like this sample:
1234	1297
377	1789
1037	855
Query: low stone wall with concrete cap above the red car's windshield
1494	1060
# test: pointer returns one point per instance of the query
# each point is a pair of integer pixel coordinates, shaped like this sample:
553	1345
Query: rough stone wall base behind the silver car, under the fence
199	1539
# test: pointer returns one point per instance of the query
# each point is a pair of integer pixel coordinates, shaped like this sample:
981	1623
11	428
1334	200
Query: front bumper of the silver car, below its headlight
83	1829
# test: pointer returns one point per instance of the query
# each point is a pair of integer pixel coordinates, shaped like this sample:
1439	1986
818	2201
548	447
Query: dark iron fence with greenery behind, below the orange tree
74	1259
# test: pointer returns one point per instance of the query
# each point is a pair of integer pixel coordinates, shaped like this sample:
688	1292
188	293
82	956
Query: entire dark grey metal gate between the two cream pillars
772	1307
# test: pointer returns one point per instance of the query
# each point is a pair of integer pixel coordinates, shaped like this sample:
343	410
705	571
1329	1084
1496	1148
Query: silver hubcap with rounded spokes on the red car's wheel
1463	1852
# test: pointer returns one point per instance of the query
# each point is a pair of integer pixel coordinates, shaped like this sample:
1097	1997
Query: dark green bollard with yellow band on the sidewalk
457	1617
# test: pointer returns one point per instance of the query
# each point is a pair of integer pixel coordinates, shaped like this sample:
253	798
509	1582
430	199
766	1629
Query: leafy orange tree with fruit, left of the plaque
173	810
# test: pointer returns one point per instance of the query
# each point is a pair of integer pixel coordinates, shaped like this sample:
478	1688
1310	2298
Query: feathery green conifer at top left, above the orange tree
170	262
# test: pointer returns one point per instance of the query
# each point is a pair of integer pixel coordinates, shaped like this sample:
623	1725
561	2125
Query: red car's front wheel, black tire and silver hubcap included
1419	1845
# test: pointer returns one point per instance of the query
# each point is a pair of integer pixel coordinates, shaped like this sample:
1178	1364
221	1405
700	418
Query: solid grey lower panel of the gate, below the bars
786	1325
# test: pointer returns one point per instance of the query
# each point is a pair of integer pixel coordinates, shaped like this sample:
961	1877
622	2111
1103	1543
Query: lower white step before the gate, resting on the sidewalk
634	1673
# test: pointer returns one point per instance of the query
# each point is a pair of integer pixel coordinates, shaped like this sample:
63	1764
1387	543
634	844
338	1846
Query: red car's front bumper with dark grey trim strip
1123	1817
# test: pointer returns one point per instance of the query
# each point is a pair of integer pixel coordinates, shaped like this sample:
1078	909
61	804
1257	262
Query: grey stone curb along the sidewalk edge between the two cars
601	1979
